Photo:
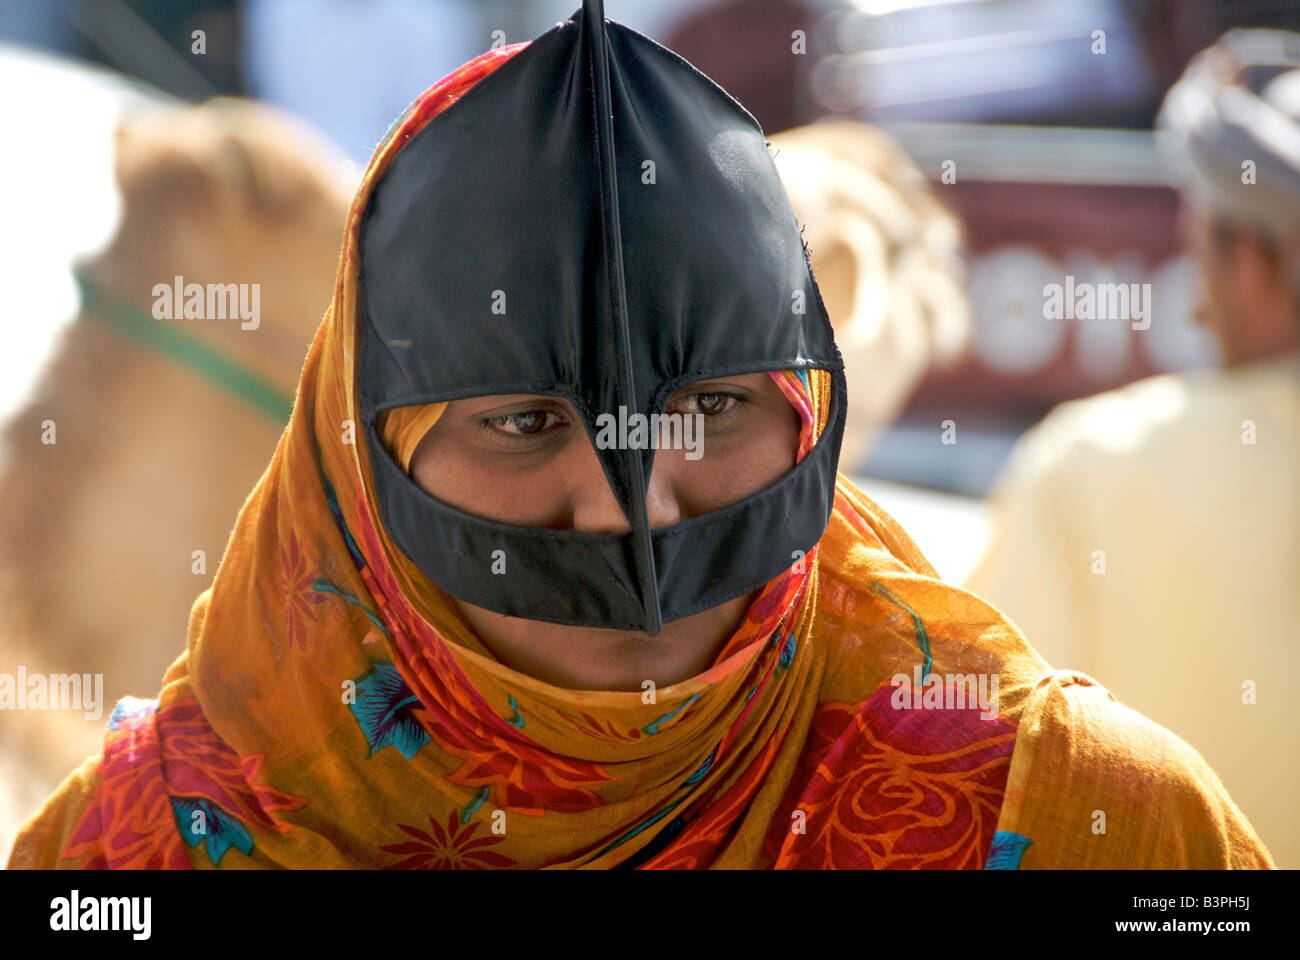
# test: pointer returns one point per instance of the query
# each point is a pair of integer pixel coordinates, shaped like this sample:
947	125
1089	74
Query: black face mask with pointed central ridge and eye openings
595	220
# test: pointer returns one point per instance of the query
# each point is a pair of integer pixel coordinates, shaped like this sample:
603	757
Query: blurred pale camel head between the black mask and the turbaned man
887	254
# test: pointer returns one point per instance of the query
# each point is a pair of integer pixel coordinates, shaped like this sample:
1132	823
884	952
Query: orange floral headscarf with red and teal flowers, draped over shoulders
332	711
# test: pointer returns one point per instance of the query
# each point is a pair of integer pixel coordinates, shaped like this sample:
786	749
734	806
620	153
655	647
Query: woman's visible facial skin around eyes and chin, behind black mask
527	460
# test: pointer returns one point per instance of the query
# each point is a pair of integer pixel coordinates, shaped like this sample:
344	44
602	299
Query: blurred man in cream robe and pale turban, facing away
1151	535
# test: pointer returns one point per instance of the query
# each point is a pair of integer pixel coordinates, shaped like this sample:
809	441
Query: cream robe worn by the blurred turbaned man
1198	534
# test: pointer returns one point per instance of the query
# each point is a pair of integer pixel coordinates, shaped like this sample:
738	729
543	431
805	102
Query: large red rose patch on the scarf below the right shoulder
899	789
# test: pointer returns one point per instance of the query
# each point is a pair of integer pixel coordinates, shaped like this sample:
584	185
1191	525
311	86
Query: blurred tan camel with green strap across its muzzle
161	429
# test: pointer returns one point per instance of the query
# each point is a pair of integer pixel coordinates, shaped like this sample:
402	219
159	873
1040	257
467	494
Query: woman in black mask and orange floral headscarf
501	633
